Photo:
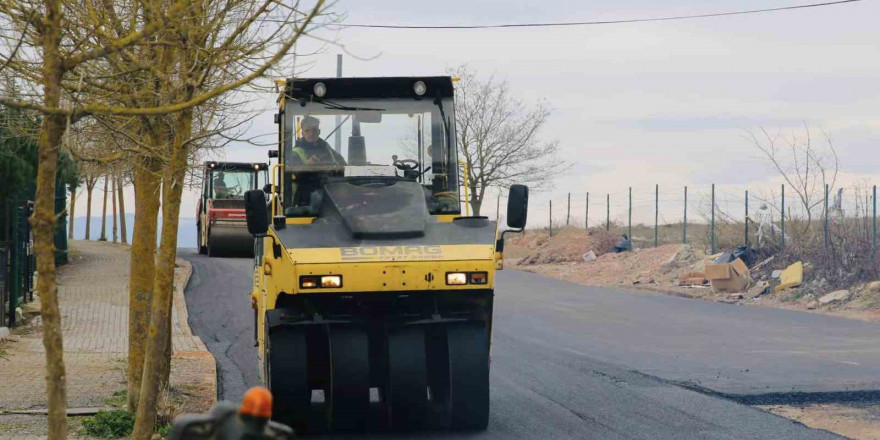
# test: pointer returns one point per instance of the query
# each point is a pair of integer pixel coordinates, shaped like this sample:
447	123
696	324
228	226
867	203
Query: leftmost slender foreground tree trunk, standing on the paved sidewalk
43	221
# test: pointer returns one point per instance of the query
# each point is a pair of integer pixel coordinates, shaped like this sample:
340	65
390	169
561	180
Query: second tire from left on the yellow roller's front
349	378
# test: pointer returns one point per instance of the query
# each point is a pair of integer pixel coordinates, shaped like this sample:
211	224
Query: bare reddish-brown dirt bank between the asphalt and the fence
659	269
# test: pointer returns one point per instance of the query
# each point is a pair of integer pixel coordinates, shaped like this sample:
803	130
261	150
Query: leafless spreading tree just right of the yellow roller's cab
500	141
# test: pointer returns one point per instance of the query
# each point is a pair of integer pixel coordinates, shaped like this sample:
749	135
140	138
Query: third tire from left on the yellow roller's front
407	383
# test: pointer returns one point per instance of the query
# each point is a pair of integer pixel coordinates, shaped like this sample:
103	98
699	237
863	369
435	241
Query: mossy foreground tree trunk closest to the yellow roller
160	312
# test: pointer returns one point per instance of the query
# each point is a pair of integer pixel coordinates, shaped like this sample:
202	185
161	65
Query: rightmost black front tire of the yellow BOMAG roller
469	376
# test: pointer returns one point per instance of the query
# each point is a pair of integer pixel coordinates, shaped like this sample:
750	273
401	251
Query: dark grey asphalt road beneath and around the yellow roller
575	362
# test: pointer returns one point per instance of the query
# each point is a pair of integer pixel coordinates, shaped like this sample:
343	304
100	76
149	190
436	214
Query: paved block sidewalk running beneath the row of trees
93	295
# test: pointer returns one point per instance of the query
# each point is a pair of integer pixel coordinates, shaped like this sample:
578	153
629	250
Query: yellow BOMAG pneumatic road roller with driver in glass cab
372	293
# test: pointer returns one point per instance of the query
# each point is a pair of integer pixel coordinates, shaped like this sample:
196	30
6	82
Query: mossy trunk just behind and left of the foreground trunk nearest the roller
142	273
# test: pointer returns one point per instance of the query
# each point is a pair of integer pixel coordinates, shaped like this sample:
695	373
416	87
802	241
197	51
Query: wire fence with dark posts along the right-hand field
717	219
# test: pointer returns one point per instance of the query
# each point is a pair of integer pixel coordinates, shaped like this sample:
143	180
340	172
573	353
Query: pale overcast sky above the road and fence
646	103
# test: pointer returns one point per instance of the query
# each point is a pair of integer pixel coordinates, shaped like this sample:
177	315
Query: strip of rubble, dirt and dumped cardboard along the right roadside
602	258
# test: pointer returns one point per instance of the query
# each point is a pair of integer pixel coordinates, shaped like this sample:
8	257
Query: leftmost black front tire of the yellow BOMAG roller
287	352
